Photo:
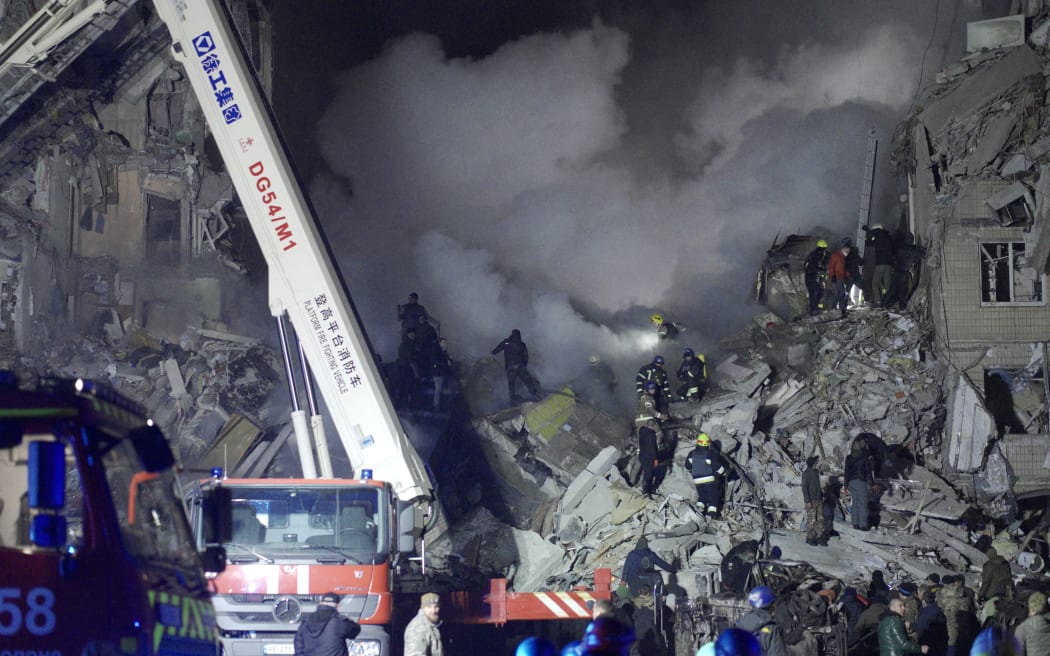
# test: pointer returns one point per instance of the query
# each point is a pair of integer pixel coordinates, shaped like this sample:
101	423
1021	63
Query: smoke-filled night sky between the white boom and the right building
566	168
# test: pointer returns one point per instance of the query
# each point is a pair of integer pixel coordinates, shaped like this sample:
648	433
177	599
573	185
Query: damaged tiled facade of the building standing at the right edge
975	154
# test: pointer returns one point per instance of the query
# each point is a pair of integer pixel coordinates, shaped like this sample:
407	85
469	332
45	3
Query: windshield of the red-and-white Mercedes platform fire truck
308	522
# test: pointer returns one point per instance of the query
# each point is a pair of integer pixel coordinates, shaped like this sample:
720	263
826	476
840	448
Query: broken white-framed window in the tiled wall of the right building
1006	276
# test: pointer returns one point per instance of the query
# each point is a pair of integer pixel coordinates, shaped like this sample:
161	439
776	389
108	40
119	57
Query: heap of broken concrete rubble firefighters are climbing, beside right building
784	392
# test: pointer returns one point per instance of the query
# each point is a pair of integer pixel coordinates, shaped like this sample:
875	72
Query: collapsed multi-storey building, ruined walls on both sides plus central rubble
118	218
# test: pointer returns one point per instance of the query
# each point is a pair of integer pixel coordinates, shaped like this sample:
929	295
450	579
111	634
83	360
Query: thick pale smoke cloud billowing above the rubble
518	191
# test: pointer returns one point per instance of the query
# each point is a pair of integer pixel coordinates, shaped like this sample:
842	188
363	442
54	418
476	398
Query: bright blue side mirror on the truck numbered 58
48	494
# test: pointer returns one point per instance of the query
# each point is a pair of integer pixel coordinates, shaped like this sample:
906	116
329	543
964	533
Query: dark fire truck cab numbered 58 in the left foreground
95	546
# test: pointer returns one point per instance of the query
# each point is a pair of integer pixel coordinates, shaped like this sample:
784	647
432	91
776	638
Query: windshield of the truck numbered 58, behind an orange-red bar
154	526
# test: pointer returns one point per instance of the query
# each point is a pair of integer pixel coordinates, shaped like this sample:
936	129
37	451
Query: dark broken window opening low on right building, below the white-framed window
1017	399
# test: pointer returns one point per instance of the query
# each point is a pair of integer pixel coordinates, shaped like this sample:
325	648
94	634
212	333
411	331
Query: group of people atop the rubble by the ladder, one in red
886	277
